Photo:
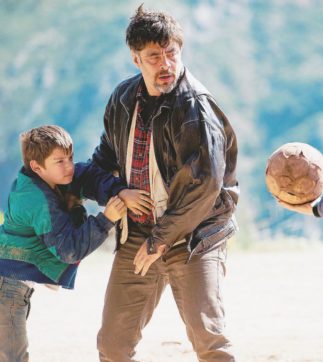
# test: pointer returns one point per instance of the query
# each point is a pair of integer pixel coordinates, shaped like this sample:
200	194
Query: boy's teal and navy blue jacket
40	239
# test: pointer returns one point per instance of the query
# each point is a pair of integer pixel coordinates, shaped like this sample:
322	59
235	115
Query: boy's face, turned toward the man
58	168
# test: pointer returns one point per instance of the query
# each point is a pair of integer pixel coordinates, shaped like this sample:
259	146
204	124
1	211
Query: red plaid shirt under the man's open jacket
139	174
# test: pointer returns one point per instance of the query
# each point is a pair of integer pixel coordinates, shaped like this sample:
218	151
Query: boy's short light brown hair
38	143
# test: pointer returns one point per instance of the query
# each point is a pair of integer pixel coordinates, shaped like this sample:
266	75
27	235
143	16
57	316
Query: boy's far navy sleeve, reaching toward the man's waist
92	182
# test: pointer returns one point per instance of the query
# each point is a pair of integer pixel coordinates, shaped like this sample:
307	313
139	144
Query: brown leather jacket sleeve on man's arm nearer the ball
200	145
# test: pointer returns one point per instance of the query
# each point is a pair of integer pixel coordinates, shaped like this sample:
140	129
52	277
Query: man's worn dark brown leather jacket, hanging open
196	152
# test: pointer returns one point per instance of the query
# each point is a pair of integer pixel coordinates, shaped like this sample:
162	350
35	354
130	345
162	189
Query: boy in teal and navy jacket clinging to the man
46	231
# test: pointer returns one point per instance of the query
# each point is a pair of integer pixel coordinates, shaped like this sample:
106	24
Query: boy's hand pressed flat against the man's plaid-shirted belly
138	201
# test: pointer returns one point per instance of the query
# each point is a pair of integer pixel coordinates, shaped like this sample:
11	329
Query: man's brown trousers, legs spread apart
131	299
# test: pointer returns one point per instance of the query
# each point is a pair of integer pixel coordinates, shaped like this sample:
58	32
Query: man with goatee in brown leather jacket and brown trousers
165	134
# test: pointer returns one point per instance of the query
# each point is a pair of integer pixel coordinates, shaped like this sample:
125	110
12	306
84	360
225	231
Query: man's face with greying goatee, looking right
160	67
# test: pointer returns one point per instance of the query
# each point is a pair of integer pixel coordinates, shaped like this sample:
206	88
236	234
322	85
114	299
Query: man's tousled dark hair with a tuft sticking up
149	26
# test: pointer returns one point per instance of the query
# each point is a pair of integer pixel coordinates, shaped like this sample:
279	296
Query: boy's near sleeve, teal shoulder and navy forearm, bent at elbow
68	243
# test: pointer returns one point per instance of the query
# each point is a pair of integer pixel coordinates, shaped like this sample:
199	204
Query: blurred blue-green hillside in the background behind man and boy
263	61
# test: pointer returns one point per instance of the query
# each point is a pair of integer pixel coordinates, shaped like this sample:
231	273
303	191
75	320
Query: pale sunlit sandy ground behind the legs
274	305
